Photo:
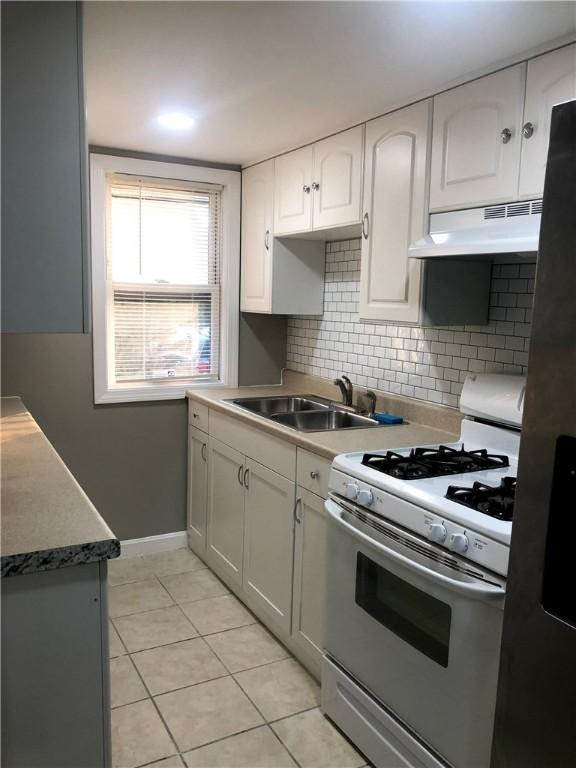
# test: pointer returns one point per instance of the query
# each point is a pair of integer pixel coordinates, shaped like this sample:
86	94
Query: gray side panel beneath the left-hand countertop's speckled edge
55	697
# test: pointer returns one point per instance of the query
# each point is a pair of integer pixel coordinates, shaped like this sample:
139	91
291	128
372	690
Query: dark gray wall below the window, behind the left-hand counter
130	459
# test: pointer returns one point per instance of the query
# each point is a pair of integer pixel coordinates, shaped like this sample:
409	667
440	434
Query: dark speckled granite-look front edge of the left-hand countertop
61	557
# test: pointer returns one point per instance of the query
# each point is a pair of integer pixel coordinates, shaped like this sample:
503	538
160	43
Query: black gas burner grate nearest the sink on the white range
433	462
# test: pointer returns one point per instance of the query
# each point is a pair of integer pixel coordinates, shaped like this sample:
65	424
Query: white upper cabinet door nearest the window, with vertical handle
257	224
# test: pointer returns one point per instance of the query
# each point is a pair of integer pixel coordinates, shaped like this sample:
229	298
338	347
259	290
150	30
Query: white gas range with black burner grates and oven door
417	561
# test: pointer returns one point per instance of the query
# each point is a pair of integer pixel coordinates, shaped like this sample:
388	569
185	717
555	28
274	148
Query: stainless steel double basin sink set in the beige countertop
306	413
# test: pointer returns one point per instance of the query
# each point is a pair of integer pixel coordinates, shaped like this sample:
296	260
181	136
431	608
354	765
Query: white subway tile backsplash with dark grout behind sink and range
427	363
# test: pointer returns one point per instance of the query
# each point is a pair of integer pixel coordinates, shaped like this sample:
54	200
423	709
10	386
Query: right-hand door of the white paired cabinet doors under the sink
269	542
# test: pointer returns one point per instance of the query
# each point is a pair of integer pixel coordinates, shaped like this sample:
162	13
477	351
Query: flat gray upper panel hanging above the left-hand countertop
42	244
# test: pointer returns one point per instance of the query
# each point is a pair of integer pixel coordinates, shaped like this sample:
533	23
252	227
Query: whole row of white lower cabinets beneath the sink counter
262	531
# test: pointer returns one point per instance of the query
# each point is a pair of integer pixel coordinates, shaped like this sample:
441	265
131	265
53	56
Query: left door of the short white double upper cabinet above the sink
293	192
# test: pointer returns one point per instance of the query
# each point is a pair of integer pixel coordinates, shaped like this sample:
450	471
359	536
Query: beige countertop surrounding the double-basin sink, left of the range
327	444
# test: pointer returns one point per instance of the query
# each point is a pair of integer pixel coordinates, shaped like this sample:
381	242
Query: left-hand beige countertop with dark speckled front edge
48	522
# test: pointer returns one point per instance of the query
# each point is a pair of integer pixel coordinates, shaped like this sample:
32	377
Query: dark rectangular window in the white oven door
419	619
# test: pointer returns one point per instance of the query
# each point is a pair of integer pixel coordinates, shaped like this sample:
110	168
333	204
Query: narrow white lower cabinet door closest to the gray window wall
197	488
